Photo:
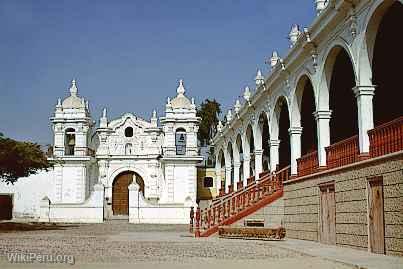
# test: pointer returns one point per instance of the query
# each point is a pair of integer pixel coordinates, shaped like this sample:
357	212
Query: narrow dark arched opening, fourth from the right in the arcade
284	137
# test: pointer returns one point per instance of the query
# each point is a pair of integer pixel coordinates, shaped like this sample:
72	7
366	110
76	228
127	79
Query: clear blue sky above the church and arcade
129	55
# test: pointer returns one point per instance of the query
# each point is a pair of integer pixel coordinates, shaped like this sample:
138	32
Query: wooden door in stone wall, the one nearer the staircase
327	233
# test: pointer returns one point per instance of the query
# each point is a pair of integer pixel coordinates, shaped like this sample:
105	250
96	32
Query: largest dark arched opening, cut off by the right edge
388	54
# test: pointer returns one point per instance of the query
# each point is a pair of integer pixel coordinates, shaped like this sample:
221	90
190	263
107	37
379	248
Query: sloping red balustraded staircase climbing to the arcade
235	206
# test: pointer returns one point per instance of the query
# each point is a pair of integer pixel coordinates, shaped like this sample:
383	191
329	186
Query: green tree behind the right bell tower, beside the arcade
209	111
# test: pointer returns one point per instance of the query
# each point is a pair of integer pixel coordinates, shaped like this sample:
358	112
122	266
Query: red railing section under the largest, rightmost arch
386	138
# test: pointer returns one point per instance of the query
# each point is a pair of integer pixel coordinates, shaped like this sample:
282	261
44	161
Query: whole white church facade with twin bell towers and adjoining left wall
126	168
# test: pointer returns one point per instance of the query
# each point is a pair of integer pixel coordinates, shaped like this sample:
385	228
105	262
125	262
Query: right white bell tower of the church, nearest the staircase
180	152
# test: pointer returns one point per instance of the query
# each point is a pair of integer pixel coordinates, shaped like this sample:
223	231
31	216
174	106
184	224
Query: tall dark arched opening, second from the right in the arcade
342	102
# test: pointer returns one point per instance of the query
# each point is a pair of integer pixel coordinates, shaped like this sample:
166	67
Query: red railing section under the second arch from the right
343	152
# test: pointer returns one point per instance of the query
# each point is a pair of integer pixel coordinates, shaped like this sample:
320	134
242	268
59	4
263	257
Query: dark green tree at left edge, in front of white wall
20	159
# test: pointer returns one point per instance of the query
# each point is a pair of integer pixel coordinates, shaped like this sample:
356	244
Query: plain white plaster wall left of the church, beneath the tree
28	192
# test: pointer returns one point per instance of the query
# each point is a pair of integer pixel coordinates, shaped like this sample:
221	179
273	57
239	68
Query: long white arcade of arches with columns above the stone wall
353	89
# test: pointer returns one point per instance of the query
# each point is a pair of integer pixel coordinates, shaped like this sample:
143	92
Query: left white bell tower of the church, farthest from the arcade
72	129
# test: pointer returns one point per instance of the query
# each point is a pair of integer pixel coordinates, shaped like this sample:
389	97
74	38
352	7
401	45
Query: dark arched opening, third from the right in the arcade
309	138
